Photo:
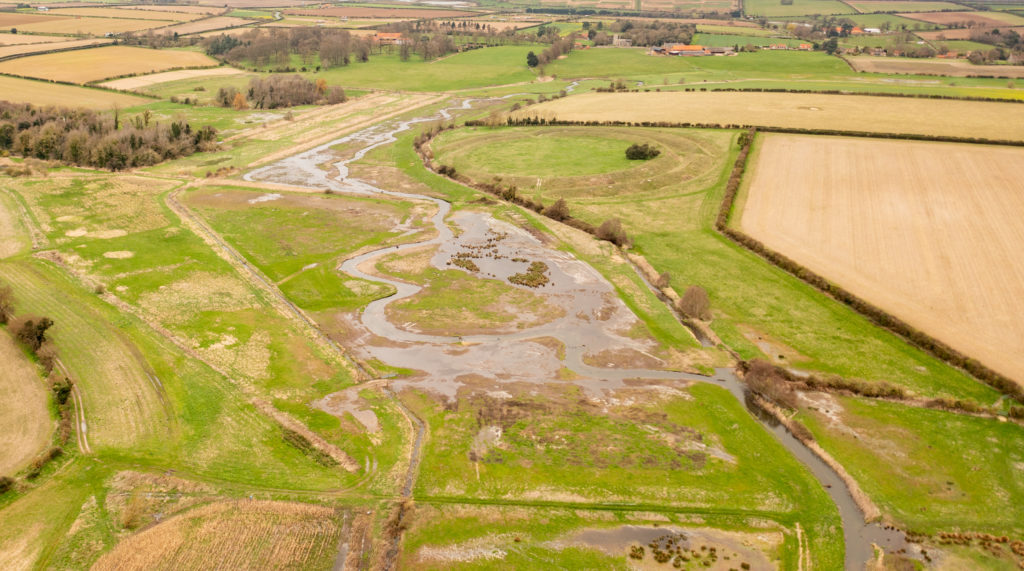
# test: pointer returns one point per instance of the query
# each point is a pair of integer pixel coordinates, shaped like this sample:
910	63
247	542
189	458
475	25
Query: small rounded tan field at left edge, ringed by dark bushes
25	416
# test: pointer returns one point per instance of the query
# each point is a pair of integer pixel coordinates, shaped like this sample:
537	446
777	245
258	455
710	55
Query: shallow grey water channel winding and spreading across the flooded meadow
593	319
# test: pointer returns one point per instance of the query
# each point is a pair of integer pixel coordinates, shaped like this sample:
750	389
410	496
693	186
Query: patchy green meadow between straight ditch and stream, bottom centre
578	455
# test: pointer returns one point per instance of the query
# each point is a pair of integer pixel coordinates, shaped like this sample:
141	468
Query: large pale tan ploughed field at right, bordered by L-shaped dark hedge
930	233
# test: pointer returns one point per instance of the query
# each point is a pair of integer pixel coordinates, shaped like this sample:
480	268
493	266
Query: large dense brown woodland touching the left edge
86	138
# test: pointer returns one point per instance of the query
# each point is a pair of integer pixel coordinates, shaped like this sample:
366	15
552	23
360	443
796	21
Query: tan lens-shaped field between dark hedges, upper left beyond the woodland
92	65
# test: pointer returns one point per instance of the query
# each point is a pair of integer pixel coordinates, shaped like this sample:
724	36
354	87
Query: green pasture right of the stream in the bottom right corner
930	470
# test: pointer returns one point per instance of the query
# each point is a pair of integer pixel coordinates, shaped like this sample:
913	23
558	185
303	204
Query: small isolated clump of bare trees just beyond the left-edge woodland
280	92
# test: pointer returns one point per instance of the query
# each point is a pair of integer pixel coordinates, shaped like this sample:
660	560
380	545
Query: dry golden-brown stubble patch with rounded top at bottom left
236	536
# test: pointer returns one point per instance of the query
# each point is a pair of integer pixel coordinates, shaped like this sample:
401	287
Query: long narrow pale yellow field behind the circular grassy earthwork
804	111
